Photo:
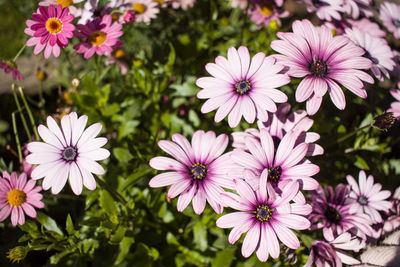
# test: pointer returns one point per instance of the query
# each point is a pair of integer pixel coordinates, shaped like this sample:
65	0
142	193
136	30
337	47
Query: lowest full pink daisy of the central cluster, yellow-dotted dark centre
265	218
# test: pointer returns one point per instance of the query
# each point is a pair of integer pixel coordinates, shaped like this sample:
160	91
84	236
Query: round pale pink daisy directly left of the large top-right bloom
240	87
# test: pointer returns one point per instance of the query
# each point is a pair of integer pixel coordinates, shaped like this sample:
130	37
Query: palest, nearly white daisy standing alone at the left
69	153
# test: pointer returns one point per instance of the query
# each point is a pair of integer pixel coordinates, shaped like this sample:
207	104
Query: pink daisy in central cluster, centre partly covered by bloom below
282	165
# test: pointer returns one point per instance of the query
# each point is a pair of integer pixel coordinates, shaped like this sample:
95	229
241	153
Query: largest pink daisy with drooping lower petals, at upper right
324	61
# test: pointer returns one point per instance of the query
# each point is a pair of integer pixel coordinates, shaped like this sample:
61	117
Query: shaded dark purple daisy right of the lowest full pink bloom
334	216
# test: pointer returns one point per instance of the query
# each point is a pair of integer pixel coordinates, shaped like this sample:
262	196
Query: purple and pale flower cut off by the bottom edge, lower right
330	254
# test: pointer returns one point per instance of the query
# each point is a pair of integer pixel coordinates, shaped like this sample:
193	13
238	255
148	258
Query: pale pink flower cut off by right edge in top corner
390	16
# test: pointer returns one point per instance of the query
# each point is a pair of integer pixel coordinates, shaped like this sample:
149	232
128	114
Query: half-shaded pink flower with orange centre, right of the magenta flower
100	36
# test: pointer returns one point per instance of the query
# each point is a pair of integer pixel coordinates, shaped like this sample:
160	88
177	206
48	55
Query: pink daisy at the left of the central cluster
198	172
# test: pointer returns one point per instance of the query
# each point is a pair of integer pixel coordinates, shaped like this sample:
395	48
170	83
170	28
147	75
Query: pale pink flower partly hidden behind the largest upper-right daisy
376	49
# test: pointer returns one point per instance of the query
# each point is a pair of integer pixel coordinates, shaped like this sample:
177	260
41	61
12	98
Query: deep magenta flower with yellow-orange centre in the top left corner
50	30
